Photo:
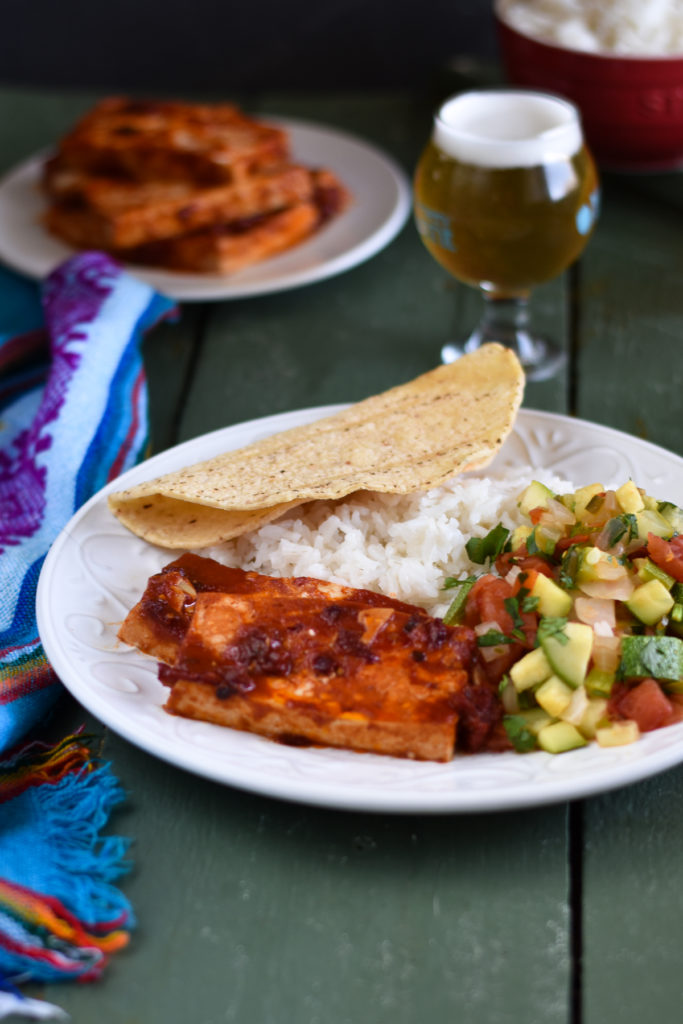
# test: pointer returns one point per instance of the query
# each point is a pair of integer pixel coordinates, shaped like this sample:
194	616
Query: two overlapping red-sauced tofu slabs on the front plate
305	662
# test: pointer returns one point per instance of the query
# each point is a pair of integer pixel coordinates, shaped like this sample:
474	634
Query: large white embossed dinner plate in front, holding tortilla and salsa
97	571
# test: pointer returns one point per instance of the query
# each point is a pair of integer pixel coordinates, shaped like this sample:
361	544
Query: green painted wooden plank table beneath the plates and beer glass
261	912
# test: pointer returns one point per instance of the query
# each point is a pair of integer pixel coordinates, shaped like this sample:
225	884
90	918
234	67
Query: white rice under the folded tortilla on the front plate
400	545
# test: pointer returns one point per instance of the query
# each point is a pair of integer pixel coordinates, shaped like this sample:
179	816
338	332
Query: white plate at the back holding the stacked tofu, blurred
381	203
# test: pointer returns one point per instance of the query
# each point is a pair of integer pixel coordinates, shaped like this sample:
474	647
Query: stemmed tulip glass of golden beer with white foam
506	196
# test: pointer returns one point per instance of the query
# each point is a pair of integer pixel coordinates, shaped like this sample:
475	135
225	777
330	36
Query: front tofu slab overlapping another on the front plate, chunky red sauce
306	670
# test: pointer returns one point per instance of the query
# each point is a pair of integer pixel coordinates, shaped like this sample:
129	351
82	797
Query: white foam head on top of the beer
507	129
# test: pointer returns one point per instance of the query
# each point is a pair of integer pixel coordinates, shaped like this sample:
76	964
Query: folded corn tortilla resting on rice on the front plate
412	438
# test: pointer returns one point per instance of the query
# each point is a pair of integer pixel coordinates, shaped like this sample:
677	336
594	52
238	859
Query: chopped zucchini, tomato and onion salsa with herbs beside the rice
580	617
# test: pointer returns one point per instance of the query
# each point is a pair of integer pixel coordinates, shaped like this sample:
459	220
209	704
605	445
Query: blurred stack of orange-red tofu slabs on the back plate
195	188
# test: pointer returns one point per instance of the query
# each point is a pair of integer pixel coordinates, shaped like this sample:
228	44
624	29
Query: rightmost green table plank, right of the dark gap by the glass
631	377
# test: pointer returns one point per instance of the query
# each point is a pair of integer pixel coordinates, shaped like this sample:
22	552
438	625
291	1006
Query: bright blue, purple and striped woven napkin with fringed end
73	416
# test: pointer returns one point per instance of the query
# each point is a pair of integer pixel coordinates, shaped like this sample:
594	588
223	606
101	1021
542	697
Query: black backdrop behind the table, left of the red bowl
194	47
